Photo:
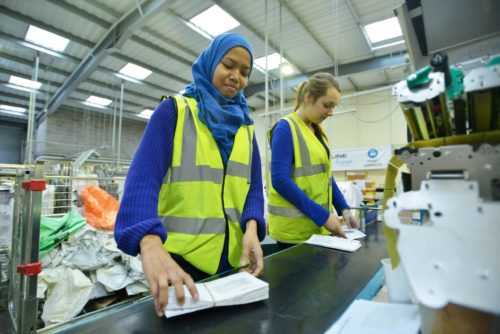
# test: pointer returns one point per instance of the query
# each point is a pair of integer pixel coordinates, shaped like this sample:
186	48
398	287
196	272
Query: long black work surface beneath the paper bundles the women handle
309	288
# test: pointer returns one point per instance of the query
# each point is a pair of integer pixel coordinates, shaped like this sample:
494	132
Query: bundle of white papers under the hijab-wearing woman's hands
240	288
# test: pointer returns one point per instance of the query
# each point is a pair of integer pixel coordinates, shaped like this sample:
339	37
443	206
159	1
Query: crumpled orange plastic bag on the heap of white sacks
100	208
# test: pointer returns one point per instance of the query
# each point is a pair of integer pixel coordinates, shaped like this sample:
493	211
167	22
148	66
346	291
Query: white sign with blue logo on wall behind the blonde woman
374	157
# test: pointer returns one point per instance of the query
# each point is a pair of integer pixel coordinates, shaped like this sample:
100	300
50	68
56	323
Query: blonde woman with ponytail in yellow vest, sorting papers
303	189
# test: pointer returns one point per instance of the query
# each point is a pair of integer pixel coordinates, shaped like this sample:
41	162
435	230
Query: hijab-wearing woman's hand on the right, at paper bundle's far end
252	251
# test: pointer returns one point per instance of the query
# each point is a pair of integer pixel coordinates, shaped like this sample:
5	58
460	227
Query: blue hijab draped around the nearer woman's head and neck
222	115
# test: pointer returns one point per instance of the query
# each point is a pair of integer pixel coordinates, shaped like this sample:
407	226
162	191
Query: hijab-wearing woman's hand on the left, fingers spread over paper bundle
160	270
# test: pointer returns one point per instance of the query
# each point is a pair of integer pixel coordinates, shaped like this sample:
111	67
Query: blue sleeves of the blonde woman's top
281	171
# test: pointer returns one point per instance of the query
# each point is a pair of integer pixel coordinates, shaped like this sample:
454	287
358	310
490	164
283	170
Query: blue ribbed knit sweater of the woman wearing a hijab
138	214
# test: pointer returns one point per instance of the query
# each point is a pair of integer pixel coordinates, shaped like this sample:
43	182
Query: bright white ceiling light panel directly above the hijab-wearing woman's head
214	21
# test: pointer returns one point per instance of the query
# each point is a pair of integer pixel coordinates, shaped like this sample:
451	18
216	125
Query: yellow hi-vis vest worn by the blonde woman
311	172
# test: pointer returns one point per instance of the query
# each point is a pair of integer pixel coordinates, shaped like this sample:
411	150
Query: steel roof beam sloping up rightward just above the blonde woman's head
372	64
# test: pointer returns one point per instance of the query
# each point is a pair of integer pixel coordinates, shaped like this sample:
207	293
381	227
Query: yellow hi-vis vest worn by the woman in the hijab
198	198
